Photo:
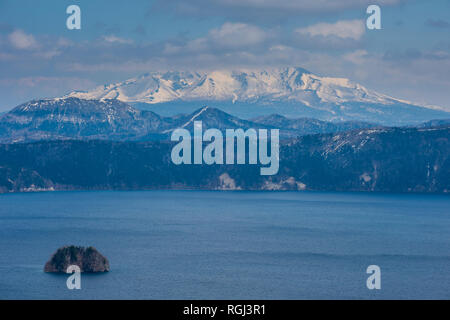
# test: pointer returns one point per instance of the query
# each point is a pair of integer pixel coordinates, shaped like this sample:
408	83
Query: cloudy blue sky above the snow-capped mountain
409	58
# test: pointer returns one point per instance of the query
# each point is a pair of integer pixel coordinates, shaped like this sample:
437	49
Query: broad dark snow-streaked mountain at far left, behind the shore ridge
74	118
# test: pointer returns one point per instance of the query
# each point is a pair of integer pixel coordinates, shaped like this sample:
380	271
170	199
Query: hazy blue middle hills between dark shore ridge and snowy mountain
73	118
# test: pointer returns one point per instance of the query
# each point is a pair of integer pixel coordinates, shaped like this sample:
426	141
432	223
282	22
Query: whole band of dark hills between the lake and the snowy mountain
120	147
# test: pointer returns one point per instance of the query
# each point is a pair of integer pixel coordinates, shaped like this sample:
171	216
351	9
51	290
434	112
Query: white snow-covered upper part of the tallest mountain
289	84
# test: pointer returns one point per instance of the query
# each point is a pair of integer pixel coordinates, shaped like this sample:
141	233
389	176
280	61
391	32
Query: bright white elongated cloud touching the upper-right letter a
352	29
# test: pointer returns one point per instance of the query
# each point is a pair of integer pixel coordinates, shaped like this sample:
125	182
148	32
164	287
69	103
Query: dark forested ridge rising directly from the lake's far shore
377	159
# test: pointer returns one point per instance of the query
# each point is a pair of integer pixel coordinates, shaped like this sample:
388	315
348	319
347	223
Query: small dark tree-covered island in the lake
88	259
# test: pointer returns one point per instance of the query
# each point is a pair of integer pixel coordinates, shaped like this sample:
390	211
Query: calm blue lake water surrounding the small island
229	245
